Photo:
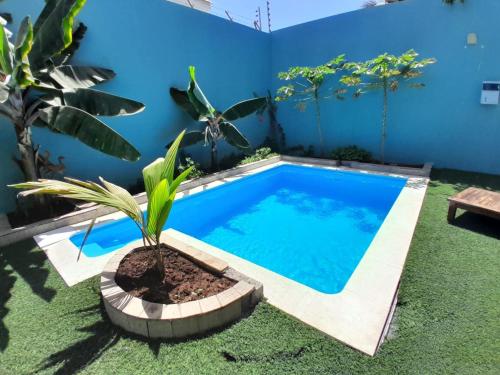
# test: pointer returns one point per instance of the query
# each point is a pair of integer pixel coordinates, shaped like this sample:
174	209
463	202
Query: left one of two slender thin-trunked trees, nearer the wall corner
307	85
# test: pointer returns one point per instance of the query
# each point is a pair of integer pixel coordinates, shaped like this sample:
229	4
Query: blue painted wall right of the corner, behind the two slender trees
443	123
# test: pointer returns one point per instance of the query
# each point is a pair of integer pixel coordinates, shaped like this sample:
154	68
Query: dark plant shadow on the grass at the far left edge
27	261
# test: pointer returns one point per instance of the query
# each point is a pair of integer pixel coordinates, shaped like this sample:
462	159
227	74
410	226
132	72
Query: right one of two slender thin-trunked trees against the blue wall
385	72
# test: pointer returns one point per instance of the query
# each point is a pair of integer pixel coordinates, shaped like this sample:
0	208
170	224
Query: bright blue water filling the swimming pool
311	225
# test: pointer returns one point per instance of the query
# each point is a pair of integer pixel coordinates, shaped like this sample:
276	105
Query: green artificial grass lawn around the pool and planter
447	320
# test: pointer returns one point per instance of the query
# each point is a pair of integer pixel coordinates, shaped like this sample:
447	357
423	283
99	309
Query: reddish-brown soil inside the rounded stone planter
184	280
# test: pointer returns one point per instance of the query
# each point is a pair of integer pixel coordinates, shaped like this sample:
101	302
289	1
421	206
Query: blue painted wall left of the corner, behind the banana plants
150	47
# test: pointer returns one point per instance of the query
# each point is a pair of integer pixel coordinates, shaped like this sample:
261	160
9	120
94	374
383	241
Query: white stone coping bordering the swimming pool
356	316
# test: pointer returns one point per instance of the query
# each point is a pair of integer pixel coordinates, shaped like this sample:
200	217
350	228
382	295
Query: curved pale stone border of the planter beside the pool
154	320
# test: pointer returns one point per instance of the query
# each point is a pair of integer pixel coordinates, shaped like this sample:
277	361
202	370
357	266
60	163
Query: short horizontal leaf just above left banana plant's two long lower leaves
68	76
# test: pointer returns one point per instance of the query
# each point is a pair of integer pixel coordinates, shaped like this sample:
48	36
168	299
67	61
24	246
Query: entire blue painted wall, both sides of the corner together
151	46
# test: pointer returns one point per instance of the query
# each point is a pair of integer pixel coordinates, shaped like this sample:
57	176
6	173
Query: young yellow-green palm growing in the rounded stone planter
161	188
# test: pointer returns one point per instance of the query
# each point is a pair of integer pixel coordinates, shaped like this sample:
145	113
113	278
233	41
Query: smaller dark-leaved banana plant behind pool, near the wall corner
215	125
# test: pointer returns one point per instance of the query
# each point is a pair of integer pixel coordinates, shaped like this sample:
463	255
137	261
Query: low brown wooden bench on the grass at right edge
475	200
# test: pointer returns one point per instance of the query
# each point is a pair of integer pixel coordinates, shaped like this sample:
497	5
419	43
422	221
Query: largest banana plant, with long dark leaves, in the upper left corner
40	87
